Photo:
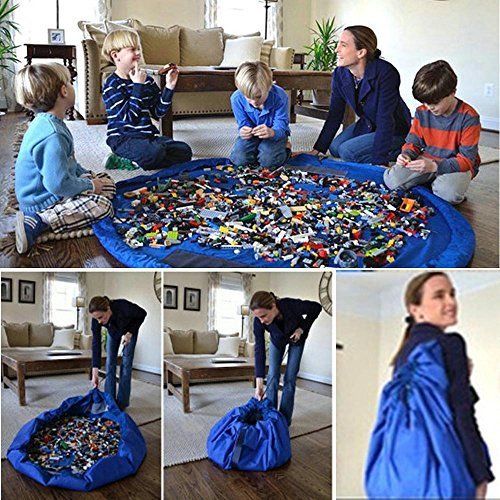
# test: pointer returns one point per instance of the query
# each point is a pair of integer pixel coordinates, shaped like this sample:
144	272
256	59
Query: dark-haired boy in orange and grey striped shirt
442	145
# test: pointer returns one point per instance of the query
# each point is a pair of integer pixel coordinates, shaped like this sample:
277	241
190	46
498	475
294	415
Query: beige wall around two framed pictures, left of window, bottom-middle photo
179	319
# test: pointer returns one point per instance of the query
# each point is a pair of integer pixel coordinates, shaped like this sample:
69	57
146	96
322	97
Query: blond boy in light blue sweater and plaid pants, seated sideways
53	190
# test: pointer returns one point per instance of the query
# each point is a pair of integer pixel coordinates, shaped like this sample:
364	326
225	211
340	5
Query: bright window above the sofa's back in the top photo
240	17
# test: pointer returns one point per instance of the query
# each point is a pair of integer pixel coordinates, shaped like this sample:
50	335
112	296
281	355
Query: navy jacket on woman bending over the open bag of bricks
126	317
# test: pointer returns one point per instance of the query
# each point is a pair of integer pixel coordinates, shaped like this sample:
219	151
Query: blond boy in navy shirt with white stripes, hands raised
132	98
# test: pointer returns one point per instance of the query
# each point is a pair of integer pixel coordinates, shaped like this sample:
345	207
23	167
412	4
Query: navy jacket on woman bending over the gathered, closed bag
296	314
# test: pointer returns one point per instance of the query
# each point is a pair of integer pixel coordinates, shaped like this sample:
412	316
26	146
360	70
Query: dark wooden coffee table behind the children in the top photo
207	79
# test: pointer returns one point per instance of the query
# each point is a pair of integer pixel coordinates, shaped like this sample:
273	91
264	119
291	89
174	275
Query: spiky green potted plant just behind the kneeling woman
322	52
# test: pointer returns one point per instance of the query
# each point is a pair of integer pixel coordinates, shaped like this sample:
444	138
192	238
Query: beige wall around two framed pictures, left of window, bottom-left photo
15	312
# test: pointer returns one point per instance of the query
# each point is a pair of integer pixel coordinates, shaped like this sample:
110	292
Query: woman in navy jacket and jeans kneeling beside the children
370	86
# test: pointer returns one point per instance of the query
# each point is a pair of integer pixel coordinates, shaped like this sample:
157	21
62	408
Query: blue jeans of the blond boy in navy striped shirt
151	152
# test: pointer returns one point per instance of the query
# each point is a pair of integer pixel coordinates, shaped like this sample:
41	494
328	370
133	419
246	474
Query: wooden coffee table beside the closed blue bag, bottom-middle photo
191	369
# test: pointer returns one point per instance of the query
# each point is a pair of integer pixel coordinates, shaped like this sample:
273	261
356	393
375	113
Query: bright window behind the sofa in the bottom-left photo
64	290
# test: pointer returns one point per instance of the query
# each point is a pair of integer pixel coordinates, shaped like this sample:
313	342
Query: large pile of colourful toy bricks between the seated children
306	218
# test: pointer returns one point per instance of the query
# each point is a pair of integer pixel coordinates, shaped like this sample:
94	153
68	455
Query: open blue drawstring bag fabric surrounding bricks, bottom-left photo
96	404
